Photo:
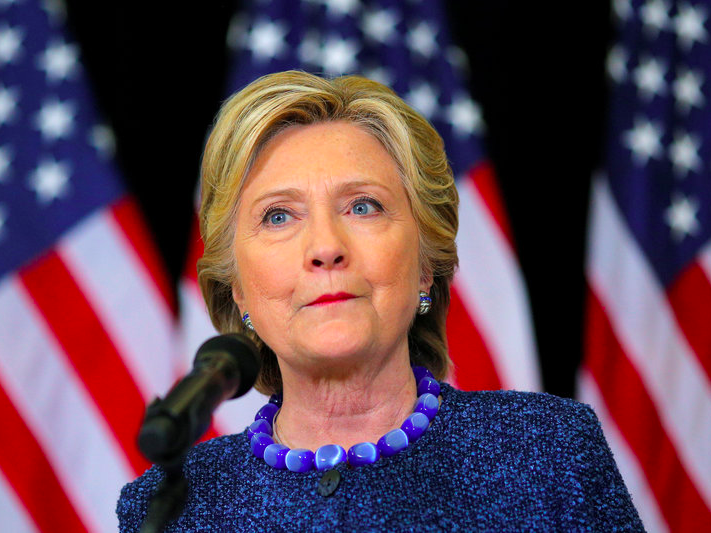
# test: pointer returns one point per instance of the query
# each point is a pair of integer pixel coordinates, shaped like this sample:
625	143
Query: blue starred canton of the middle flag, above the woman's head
404	45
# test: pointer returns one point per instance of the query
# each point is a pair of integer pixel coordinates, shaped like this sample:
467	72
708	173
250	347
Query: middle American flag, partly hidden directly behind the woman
405	45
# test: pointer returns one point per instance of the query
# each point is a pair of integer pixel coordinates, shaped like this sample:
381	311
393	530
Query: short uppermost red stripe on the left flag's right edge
131	221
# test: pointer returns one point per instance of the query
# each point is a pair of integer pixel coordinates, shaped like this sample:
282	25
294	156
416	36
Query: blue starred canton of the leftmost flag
55	158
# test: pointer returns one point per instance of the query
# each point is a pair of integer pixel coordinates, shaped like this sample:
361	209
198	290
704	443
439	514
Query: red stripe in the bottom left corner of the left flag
31	476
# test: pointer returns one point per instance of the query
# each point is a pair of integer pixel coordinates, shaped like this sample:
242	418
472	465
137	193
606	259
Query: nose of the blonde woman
326	247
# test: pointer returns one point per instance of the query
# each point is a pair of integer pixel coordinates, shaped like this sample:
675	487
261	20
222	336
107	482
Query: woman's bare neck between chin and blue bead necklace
359	407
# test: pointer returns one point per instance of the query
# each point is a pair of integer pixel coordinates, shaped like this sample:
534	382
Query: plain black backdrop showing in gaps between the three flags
159	69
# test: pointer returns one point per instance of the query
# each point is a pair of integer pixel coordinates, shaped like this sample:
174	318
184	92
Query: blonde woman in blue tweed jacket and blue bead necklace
329	214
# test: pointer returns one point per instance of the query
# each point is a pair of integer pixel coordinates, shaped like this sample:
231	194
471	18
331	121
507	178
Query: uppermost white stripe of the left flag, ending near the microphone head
145	339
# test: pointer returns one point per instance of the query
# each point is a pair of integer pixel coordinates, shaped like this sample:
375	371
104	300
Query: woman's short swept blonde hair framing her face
245	124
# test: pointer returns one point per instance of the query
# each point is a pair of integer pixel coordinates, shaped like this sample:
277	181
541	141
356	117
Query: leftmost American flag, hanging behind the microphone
87	330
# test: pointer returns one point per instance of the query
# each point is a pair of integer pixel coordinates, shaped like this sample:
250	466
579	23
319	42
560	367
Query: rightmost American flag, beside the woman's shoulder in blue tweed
647	368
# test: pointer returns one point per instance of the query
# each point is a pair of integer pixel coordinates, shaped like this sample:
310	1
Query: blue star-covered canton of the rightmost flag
659	144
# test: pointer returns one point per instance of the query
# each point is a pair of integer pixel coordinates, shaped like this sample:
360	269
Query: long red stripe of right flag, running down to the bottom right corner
638	421
